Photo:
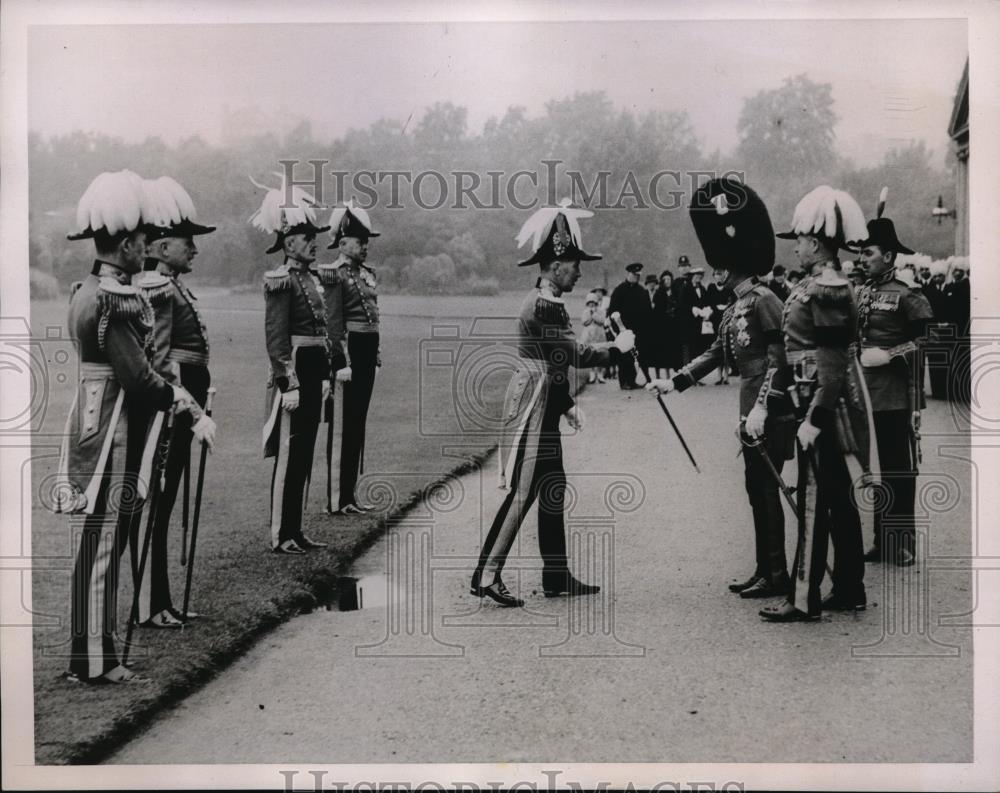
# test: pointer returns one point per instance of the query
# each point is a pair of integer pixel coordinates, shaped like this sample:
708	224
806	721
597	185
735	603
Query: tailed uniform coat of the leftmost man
111	322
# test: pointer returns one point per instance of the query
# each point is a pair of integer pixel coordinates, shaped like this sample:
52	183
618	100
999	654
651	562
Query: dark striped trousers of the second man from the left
155	591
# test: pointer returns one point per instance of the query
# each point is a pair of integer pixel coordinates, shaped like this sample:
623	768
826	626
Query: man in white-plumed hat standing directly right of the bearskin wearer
834	439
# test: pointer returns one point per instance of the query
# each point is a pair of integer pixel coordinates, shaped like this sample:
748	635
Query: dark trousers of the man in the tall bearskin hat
765	500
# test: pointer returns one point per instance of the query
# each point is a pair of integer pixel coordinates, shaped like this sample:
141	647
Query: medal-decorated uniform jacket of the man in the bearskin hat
749	335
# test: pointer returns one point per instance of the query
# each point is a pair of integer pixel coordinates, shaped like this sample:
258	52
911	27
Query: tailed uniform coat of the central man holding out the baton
539	388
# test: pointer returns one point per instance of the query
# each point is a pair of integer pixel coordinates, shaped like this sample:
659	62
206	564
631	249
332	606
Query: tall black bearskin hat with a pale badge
733	227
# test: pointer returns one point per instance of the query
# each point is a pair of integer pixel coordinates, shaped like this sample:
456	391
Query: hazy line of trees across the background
636	169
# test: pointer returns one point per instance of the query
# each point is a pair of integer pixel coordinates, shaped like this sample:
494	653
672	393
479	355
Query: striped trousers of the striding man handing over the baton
546	481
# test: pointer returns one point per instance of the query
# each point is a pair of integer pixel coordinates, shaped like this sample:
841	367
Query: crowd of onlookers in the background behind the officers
675	317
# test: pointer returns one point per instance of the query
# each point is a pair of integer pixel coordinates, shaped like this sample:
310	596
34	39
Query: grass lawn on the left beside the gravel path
418	432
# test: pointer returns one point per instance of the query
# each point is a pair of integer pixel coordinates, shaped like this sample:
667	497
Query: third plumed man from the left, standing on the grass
296	338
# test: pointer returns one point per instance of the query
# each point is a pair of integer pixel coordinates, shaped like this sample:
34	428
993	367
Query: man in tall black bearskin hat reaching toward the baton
735	231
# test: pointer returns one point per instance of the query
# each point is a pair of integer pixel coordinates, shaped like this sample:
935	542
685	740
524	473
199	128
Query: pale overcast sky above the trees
892	81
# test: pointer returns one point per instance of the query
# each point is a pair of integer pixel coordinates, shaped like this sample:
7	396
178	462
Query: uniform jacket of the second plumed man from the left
179	334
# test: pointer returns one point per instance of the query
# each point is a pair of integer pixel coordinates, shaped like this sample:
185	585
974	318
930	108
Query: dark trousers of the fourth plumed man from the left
363	349
